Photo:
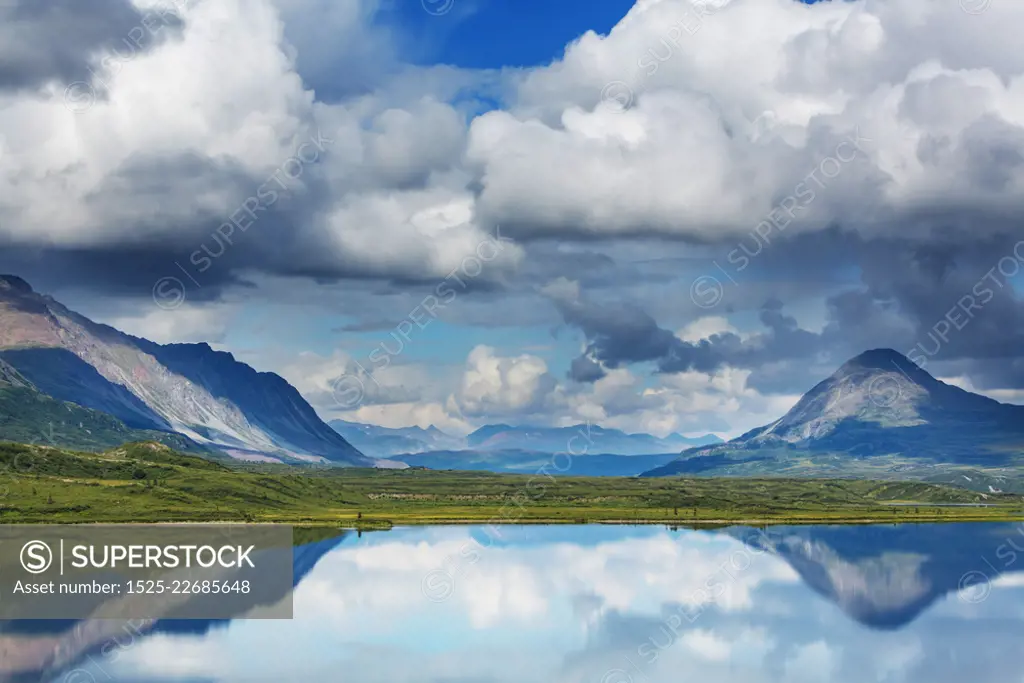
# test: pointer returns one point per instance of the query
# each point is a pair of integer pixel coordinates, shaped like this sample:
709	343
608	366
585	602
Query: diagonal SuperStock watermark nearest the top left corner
80	97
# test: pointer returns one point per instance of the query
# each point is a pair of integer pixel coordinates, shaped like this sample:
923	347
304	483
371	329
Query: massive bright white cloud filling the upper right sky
689	159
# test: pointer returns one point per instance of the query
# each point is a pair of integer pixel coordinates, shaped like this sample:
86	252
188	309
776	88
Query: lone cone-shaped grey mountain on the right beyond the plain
878	415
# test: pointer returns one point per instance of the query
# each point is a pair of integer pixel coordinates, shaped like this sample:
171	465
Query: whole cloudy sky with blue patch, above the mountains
657	217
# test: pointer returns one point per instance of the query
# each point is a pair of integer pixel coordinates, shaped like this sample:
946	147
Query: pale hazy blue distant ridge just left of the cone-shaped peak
579	440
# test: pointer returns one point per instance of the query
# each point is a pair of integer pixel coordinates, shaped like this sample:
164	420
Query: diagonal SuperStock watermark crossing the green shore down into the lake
440	584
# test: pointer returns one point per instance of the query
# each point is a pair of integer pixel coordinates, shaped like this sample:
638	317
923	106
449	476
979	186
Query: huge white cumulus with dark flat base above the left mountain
156	161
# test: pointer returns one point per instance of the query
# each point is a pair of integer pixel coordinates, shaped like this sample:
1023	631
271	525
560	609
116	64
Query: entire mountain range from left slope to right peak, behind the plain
75	383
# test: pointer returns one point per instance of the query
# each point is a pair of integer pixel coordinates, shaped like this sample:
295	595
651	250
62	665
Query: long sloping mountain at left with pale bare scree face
187	390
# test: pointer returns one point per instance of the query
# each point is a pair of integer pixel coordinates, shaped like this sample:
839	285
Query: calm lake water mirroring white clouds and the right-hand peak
600	605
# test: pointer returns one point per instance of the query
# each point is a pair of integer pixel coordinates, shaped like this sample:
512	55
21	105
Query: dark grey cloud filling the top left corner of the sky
46	40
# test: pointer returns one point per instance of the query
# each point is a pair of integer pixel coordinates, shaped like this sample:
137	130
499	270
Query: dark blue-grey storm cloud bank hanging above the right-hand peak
950	305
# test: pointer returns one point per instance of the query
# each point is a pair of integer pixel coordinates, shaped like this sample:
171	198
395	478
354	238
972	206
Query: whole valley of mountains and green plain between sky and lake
84	391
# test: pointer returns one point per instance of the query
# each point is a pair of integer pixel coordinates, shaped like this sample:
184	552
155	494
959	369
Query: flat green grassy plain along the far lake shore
149	483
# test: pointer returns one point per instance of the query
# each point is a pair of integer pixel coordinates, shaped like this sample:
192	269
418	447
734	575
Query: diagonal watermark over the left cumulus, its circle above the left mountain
169	291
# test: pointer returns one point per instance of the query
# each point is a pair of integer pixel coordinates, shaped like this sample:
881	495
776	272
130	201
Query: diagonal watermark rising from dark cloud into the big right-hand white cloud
708	291
